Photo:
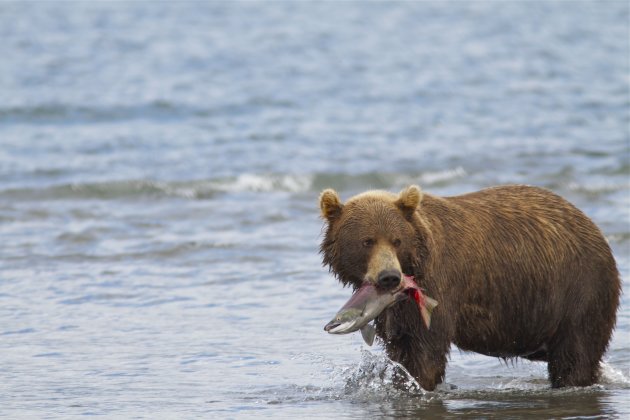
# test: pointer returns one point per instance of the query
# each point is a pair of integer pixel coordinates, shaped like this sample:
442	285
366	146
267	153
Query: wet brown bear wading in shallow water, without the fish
517	270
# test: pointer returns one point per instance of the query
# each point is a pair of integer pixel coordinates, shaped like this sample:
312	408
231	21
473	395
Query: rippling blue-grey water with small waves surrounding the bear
159	172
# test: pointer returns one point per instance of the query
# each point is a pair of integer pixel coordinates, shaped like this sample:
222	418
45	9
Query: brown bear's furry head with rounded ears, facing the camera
374	237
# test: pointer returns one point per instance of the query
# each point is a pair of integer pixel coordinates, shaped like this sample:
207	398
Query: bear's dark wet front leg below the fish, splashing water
423	352
